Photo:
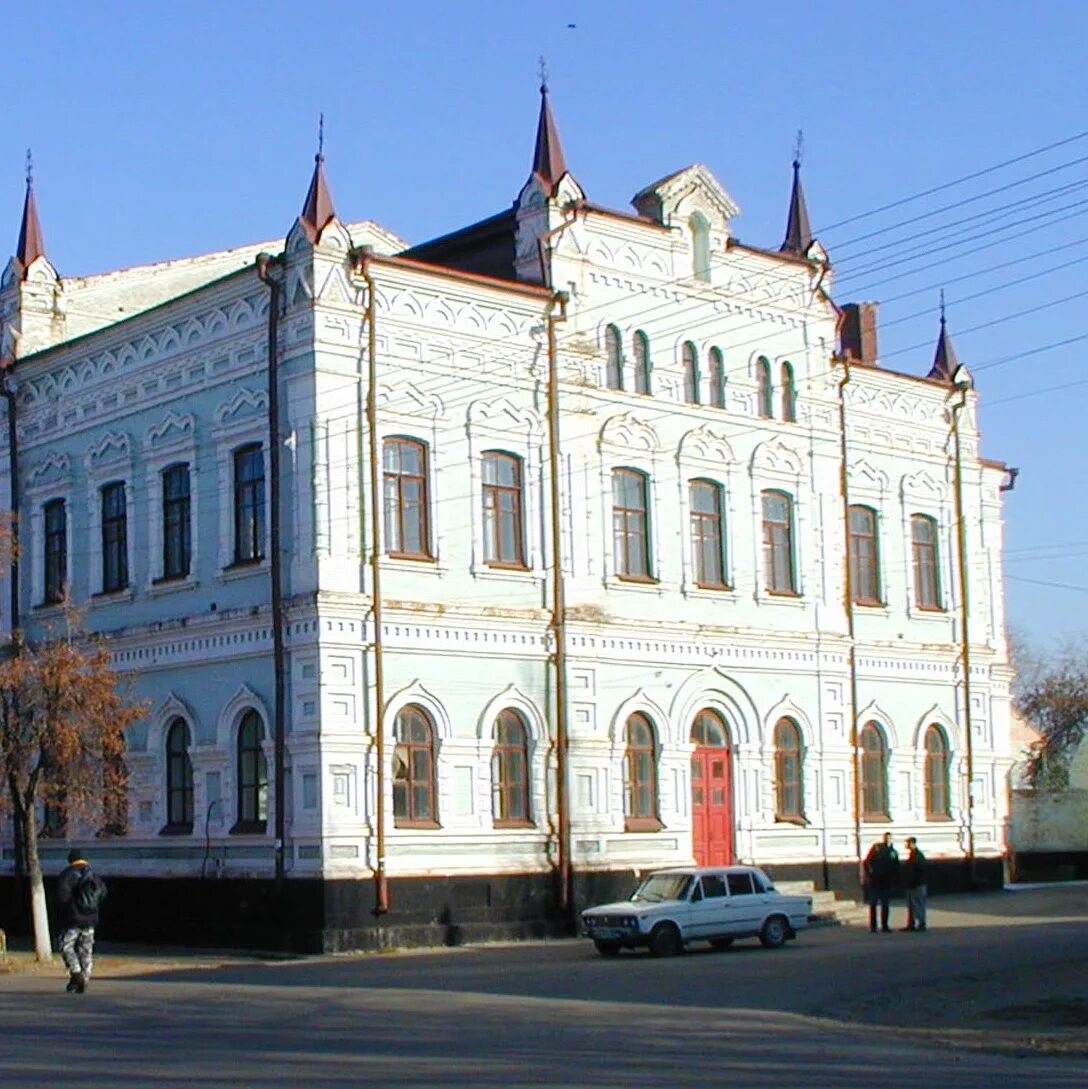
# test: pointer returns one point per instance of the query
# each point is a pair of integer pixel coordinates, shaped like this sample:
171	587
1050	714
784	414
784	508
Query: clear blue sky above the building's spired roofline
167	130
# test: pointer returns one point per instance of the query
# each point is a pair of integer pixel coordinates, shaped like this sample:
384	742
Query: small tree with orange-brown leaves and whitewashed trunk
63	727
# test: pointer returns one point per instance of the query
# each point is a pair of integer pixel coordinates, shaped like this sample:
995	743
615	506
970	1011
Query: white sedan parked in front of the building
715	904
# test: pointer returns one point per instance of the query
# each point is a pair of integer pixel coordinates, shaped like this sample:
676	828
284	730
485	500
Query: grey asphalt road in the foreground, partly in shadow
837	1008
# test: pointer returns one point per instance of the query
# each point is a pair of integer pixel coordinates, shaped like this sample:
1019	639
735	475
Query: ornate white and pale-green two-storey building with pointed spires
708	680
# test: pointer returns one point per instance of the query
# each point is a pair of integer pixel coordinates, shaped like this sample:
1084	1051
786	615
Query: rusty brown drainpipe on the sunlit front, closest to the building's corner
381	879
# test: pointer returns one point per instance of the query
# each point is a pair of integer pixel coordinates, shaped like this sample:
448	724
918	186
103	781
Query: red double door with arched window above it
712	791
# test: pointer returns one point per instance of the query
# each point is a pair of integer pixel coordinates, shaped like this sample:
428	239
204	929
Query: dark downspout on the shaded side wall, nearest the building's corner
266	264
